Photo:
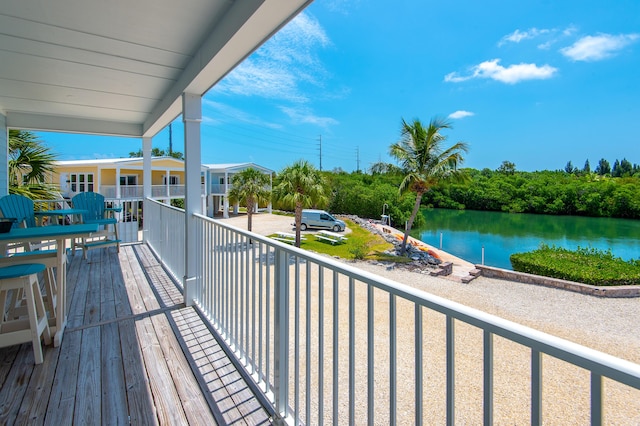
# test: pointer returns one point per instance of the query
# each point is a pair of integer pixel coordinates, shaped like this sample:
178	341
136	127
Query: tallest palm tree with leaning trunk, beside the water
425	161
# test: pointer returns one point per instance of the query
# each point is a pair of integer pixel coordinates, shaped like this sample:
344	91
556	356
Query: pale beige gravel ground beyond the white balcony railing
607	325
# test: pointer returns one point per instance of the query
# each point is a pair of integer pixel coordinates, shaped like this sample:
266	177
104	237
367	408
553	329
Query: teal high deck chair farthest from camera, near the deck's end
95	211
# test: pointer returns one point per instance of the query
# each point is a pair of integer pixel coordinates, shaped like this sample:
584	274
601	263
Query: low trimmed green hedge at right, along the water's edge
584	265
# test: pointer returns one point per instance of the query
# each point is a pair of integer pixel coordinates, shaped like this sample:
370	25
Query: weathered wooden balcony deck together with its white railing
309	339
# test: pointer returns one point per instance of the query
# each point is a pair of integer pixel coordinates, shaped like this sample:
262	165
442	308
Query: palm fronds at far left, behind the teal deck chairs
31	162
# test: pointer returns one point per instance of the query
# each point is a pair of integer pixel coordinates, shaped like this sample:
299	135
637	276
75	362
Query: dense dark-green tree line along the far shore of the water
504	189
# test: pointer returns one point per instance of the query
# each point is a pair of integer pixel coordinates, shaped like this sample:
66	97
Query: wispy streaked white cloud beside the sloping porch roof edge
284	66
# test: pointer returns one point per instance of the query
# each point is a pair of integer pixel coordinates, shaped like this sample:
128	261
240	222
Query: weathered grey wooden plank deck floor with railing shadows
132	353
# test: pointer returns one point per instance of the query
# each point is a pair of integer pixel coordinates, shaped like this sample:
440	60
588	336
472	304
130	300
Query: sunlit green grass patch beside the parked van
358	241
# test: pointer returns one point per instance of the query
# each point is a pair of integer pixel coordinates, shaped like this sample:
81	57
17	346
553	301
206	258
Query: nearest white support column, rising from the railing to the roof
191	116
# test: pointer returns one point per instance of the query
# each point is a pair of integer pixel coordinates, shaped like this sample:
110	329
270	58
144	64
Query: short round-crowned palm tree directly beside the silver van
301	186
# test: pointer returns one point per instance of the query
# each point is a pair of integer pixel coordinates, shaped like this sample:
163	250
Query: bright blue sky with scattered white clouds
537	83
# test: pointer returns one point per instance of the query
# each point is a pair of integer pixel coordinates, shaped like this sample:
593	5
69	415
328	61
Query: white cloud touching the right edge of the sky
595	48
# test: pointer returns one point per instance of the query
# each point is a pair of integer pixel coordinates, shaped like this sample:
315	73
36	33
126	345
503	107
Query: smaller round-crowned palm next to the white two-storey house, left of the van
250	187
